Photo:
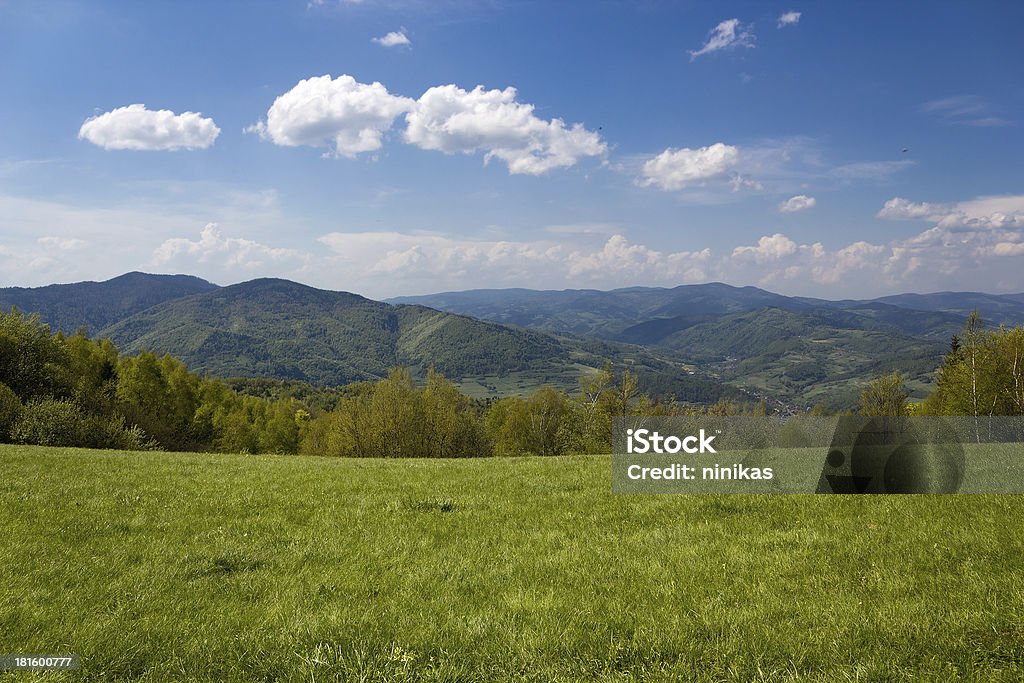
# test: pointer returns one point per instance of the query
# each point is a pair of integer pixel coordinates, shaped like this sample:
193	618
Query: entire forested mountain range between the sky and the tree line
700	343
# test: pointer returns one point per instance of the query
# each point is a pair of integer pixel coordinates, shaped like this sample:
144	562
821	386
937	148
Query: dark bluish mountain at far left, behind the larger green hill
96	306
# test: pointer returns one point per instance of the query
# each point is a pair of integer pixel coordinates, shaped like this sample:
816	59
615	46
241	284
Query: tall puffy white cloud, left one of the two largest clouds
343	114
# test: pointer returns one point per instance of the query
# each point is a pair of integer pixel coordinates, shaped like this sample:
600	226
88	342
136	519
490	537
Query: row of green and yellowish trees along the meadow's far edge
74	392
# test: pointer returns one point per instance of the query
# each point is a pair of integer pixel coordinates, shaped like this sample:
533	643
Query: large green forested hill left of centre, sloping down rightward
277	328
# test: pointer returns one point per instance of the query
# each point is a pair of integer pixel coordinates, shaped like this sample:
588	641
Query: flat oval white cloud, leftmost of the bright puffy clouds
136	127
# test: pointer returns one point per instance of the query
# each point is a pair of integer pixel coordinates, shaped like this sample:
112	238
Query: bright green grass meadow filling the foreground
179	568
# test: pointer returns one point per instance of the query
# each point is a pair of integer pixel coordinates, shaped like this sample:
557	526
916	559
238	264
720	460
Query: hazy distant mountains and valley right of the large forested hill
794	349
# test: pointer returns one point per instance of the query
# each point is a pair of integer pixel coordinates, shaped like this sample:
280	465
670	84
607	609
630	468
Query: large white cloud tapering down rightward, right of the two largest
452	120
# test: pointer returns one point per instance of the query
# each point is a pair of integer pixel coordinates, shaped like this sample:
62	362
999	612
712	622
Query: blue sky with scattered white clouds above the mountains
388	148
